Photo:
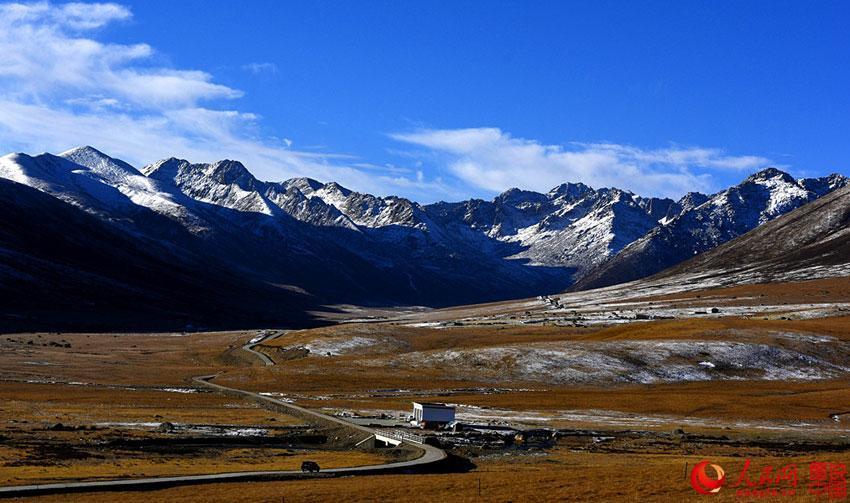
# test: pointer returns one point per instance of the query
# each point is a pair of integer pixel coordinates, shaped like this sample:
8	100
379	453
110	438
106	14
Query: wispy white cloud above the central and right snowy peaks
490	159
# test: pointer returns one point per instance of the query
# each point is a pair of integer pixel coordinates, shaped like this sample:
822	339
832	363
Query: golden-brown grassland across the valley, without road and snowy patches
110	365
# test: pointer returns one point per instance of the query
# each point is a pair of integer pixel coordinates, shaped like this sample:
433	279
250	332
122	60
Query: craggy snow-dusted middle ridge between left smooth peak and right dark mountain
572	227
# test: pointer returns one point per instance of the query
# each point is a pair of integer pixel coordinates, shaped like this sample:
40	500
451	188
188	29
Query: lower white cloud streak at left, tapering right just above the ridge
199	134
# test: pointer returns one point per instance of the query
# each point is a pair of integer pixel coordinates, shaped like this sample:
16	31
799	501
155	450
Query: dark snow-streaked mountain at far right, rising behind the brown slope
724	216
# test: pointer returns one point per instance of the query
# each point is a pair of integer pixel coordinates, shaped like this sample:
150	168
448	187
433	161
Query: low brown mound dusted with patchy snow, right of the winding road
629	362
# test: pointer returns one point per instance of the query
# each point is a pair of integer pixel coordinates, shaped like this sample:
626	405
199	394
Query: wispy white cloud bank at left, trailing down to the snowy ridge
61	87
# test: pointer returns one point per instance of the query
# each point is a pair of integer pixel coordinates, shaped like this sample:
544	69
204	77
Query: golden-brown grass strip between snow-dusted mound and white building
726	402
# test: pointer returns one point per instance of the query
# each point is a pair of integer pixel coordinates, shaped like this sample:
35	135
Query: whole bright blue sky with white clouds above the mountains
439	100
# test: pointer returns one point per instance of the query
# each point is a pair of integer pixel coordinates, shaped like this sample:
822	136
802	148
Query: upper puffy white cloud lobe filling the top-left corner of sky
42	55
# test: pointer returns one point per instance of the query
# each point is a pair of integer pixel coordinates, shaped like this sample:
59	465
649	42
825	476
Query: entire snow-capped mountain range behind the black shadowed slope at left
333	245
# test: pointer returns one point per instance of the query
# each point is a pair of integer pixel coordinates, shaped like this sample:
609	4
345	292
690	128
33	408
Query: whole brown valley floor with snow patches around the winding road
670	379
